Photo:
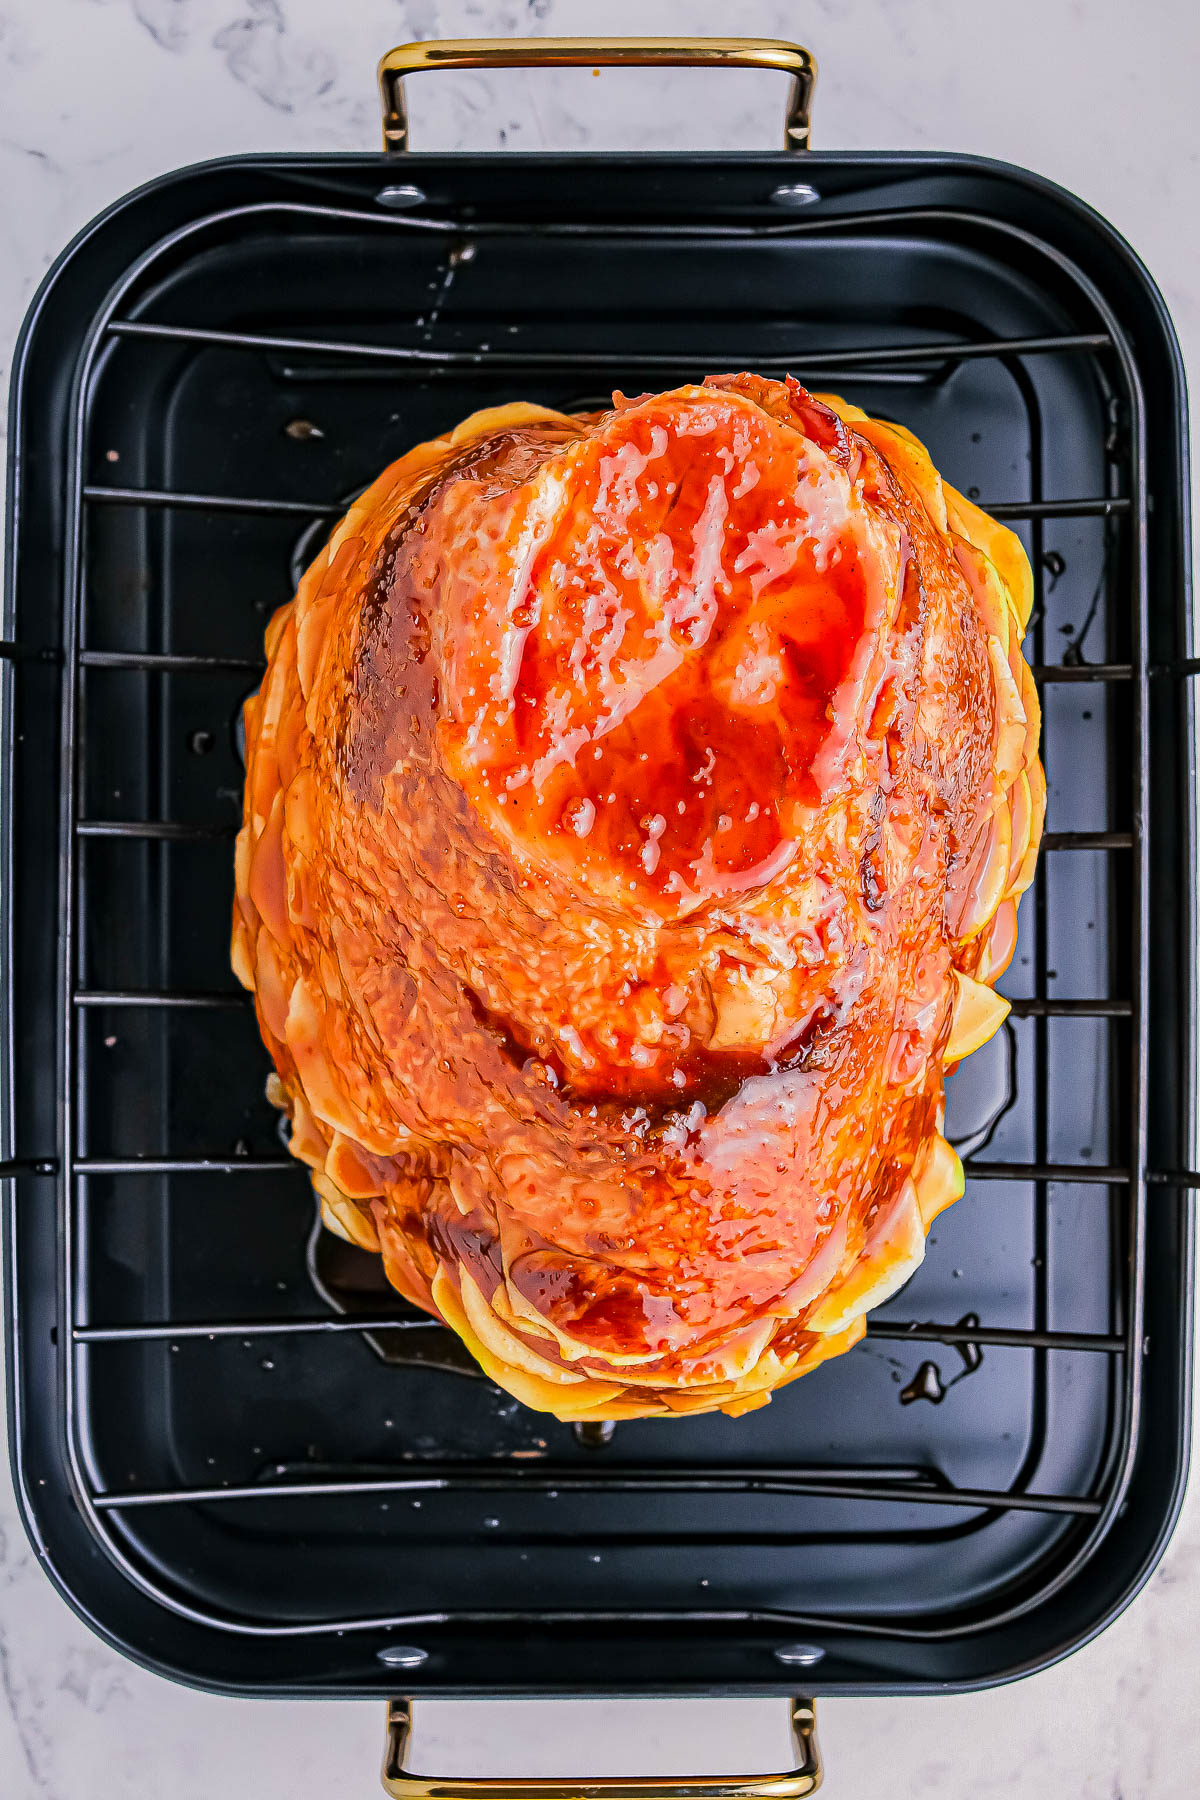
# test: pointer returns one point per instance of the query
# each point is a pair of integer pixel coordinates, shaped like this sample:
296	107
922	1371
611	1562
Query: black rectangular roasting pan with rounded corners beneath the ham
238	1455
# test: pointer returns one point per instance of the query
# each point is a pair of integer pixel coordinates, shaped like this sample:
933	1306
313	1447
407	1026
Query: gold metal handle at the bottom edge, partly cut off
805	1779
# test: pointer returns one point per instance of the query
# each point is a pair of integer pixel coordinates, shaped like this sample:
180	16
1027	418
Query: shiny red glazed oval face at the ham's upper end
672	679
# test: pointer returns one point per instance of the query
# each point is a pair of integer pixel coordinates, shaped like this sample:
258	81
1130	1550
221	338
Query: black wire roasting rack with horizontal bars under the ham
1125	1183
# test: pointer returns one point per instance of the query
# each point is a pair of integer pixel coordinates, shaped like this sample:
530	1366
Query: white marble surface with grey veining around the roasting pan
98	96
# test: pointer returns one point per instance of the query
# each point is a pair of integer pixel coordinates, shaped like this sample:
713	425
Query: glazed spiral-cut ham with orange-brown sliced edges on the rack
636	814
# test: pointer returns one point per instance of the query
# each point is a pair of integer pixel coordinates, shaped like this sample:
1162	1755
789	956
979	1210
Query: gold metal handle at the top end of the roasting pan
596	53
